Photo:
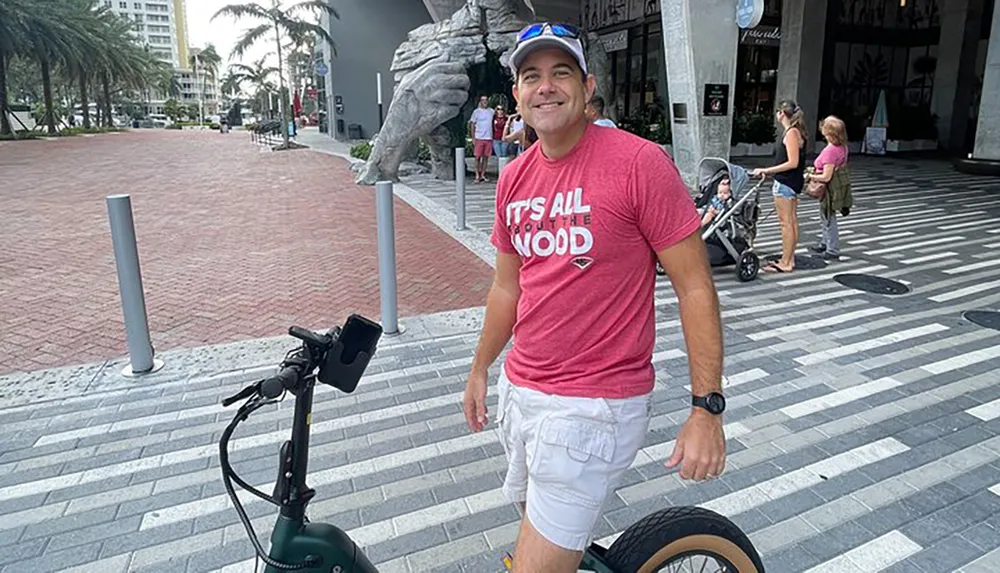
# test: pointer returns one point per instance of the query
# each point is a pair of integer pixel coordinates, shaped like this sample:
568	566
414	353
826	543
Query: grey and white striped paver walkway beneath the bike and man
864	430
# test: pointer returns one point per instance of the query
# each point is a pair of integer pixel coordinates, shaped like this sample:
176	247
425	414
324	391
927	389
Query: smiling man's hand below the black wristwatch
700	447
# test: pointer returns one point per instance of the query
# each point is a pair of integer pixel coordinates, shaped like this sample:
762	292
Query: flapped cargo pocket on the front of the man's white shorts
572	460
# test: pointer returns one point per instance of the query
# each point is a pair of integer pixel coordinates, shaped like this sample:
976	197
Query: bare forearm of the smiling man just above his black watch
702	326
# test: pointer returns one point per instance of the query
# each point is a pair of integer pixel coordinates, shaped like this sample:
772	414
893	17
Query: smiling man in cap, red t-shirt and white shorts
582	217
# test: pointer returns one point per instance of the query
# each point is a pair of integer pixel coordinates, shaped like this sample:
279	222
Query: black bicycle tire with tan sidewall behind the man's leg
651	542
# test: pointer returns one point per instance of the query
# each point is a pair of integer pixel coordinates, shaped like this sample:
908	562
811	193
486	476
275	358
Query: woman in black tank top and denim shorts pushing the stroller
790	163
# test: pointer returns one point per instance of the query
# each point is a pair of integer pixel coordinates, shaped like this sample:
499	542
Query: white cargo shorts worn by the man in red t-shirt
566	456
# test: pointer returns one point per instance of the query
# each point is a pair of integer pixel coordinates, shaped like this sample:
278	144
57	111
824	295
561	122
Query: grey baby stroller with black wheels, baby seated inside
729	236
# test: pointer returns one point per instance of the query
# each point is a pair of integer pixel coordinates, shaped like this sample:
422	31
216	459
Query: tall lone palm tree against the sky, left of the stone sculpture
280	21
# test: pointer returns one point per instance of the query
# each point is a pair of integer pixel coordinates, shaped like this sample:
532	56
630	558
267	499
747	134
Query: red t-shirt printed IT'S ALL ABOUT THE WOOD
587	228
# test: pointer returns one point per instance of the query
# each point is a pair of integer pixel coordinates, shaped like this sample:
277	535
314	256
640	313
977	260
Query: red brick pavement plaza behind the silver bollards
233	244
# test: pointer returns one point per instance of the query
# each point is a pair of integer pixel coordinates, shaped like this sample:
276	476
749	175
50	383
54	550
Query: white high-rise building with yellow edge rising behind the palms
160	23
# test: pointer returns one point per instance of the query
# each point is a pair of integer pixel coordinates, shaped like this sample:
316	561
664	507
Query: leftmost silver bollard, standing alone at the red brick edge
140	348
